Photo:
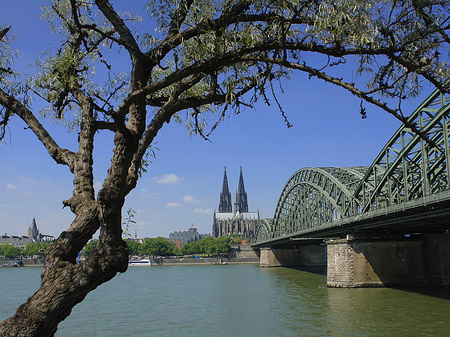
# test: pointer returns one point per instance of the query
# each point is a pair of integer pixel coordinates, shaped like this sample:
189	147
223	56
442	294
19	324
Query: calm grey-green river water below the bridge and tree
237	300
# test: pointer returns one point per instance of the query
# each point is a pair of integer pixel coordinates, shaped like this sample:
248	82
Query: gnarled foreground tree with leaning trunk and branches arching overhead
207	58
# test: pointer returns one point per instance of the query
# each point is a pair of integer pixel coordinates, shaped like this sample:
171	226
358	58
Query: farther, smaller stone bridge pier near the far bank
305	256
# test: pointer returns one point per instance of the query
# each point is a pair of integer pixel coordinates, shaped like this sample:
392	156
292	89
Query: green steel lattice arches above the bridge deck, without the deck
411	166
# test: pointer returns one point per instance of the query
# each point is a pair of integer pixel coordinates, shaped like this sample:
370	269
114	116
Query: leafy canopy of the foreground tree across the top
205	54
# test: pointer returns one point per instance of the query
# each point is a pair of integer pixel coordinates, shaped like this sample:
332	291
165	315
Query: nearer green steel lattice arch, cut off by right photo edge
410	165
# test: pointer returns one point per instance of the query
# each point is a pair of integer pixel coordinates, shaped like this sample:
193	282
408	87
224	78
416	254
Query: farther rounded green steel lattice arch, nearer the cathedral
314	196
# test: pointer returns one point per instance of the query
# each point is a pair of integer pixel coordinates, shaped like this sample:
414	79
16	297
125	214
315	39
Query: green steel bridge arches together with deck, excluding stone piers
406	190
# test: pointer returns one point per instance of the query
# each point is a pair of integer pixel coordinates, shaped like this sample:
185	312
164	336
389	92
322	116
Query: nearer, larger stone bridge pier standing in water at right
423	260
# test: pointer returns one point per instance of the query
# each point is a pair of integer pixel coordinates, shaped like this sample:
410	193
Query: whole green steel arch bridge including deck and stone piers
400	203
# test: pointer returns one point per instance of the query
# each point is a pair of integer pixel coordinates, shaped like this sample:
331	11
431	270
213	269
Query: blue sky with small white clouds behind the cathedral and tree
183	183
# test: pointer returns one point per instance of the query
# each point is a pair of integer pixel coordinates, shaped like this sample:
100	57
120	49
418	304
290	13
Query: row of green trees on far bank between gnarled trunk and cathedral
162	247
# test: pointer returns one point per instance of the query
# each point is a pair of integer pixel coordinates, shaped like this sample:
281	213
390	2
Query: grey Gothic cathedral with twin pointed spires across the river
240	221
